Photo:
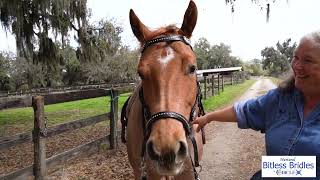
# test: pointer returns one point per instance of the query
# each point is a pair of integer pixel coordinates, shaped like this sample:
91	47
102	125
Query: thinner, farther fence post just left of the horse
113	118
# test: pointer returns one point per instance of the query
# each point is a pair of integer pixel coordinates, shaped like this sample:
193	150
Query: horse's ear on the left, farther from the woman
138	28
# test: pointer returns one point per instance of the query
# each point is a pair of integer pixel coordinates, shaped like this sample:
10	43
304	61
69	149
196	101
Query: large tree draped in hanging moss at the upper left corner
33	22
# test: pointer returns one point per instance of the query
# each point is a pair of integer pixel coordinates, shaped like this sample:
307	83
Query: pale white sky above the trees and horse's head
245	30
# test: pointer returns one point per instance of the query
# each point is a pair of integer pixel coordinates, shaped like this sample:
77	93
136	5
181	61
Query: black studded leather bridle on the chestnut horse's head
150	119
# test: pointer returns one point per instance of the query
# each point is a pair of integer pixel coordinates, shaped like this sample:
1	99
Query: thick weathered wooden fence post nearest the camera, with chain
39	132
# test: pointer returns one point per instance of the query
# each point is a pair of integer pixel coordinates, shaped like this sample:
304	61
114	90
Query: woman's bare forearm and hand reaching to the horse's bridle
226	114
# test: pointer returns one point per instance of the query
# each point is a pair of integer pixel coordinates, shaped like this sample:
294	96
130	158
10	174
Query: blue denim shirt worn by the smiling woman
280	116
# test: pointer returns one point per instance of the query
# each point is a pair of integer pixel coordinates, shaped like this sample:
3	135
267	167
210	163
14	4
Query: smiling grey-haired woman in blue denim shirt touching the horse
288	115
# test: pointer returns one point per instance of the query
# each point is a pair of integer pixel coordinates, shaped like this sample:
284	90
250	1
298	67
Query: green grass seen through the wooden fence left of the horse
21	119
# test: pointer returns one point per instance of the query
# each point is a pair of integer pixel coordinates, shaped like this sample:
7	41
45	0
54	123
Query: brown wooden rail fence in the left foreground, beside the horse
41	132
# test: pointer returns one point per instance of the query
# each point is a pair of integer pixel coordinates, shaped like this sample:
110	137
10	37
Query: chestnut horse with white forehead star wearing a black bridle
161	142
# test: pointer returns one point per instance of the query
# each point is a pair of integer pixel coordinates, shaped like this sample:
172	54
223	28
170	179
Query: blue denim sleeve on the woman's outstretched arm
254	113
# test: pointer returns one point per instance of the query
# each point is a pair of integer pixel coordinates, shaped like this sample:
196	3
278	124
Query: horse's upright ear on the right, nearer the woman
190	19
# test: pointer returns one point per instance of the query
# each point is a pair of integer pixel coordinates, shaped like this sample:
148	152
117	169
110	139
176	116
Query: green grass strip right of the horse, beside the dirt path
226	97
